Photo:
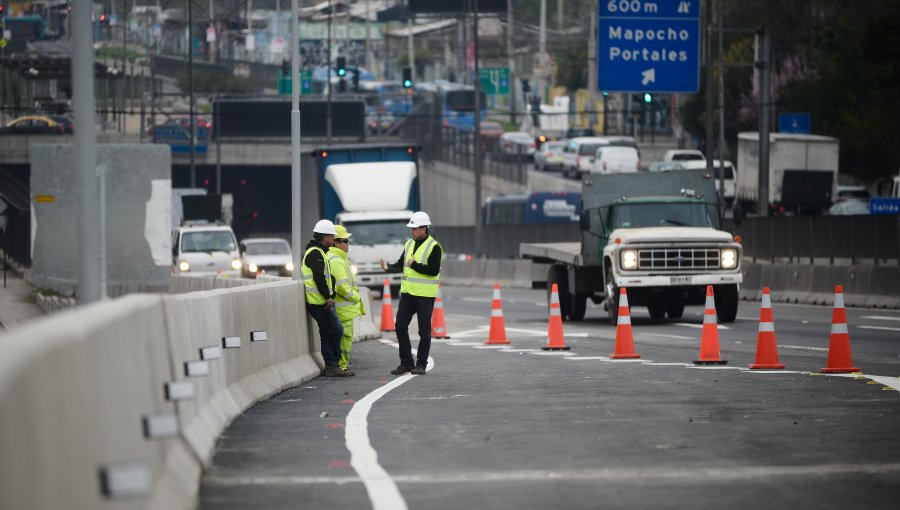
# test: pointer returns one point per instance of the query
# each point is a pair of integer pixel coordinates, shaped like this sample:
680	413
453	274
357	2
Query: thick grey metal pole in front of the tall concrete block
85	141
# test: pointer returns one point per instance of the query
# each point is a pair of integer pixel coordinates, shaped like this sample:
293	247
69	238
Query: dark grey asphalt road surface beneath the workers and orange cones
518	427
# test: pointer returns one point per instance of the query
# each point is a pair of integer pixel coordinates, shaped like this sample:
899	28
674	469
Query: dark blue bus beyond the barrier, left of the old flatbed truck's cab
534	208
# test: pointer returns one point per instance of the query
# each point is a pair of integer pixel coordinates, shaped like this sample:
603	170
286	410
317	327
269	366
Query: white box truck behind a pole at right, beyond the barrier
803	172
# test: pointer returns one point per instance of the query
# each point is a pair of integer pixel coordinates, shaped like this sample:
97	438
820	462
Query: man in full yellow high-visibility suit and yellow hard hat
347	300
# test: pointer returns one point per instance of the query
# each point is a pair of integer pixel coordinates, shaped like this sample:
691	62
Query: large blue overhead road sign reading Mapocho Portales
649	46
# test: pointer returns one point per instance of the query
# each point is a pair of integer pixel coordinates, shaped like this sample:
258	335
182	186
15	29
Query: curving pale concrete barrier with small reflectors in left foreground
79	389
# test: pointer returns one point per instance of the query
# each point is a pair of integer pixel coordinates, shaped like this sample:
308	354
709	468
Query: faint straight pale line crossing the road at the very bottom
700	474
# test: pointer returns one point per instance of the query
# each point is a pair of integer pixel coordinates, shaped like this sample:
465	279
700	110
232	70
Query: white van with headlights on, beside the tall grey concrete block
205	250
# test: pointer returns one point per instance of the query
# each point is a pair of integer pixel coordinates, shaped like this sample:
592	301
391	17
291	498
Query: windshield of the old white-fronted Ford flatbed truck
639	215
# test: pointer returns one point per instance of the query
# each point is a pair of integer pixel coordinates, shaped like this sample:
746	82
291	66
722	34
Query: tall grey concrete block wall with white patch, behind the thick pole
138	195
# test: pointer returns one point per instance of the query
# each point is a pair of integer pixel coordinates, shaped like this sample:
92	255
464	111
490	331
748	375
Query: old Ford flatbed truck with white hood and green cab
655	234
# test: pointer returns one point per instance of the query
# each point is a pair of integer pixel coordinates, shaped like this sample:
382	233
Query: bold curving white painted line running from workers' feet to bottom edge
382	489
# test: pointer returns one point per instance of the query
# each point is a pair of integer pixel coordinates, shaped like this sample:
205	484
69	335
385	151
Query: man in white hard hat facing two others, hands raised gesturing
420	264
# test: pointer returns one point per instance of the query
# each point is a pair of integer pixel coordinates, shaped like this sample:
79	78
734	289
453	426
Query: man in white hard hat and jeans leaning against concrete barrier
319	288
